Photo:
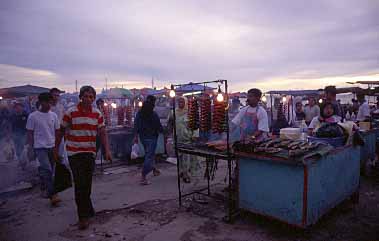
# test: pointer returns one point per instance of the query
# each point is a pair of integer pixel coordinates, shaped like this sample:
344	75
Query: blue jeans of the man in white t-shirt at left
46	169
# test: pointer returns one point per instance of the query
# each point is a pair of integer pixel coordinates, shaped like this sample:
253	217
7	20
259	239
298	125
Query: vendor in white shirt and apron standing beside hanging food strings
252	120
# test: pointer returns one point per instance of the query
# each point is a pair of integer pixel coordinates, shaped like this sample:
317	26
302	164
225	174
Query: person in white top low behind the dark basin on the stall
328	114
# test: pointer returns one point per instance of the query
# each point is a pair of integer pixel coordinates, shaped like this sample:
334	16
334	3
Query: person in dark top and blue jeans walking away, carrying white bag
147	126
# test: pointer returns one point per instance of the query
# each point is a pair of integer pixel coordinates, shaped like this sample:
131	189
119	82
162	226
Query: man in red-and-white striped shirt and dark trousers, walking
81	125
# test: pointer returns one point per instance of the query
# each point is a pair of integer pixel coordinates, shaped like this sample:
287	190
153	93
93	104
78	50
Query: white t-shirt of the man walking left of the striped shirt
44	126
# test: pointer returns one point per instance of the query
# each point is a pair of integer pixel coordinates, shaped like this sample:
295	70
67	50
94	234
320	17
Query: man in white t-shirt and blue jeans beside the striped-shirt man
42	125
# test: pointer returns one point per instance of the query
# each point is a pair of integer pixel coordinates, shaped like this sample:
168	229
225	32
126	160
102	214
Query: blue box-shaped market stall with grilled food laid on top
296	183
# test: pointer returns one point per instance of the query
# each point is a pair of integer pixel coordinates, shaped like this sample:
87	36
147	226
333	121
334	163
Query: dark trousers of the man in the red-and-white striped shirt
82	166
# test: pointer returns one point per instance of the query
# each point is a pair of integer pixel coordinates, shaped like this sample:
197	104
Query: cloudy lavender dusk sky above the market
271	44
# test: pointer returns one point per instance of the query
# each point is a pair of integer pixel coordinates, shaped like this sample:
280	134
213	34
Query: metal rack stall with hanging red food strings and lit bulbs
208	115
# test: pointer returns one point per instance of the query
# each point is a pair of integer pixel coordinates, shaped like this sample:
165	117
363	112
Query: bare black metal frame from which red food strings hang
209	155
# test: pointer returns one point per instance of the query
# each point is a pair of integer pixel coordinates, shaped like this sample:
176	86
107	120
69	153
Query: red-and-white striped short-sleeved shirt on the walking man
82	128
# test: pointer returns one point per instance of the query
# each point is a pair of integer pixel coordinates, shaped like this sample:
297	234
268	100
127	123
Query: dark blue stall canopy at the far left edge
22	91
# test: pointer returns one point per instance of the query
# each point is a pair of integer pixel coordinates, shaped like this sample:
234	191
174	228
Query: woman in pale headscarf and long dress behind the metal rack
188	164
